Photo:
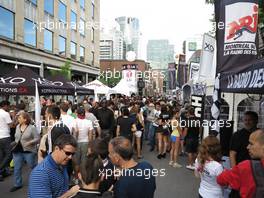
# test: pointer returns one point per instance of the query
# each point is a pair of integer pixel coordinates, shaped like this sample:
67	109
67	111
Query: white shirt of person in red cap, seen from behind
83	126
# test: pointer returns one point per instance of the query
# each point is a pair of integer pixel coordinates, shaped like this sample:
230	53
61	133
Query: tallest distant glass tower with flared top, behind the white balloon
129	26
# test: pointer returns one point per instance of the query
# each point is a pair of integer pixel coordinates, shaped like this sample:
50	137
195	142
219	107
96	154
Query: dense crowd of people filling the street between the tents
94	149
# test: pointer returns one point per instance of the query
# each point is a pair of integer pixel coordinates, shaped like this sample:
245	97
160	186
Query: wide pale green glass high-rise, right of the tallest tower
160	53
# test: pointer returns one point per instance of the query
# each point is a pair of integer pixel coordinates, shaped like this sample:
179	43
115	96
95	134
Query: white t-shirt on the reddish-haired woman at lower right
208	186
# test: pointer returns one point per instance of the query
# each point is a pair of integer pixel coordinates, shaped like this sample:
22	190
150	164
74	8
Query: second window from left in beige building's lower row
30	34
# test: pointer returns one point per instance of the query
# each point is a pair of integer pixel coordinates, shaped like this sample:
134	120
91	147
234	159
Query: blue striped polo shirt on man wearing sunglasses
48	180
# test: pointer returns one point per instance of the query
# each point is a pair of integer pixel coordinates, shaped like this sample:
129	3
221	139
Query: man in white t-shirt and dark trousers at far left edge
5	150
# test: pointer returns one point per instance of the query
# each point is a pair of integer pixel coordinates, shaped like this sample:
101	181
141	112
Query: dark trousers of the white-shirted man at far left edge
5	153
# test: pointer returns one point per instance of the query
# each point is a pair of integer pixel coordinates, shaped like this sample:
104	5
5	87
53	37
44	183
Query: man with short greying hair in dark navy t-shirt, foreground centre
136	180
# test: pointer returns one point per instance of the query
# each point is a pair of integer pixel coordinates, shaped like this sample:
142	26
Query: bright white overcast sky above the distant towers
174	20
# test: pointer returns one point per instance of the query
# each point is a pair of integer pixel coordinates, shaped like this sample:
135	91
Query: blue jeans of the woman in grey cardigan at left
19	159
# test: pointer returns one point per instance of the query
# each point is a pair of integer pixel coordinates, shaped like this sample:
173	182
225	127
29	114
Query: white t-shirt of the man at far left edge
5	119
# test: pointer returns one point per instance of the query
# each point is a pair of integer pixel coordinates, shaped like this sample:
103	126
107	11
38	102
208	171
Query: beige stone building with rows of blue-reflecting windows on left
44	34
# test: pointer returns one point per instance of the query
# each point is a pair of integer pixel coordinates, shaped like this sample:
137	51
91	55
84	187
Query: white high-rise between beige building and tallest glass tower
111	42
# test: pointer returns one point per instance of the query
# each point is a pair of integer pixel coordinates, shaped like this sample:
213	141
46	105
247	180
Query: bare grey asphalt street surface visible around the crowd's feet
177	182
